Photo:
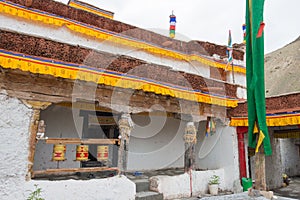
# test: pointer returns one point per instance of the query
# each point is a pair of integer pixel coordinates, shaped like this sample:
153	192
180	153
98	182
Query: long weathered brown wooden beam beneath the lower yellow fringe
35	87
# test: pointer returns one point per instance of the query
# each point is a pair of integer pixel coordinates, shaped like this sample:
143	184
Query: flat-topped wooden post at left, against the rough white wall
33	130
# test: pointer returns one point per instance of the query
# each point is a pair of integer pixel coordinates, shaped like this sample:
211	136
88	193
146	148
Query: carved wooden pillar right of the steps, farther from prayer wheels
190	140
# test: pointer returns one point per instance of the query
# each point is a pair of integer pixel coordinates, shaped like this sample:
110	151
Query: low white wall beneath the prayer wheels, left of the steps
117	187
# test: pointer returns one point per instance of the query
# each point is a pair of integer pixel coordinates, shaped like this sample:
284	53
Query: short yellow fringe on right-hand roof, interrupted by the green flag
276	120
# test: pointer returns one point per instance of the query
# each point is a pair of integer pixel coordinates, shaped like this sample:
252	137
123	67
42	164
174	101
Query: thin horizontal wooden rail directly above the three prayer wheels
81	141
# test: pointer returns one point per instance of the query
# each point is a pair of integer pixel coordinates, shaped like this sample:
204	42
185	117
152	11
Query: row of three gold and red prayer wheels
82	152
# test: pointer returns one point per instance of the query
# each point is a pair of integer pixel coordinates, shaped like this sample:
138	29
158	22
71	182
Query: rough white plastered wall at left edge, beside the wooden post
14	139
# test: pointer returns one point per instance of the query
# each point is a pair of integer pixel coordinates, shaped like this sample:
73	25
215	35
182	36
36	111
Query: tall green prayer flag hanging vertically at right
255	74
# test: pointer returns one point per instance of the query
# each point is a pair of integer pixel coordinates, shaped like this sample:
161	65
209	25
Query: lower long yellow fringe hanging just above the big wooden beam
71	71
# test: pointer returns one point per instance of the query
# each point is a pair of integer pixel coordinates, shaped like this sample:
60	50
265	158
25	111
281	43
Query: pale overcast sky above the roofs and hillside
208	20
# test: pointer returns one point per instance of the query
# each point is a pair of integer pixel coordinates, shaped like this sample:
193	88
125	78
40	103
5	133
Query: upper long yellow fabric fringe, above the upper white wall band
109	36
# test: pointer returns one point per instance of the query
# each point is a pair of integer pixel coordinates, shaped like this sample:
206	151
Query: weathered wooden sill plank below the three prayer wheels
73	170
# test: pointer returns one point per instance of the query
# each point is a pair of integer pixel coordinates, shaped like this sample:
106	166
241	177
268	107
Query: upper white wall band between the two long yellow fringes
64	35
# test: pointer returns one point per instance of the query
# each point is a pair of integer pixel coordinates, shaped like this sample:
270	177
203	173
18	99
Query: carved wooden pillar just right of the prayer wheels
125	127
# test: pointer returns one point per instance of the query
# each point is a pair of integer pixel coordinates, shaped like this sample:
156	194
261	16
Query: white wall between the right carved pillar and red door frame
219	151
